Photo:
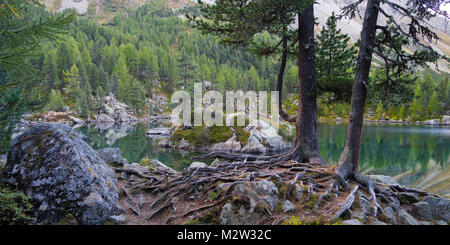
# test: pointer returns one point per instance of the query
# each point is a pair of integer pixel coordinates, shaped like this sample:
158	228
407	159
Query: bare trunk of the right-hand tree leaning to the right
348	162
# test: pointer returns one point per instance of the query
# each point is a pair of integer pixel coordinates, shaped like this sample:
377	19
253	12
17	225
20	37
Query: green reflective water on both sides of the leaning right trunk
416	156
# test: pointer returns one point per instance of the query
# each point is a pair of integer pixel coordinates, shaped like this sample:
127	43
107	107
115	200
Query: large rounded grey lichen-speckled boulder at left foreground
63	175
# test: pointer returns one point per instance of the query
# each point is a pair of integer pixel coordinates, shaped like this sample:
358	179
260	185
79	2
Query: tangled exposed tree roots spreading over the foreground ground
176	198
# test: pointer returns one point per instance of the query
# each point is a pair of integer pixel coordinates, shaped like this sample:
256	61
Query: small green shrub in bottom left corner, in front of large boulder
15	207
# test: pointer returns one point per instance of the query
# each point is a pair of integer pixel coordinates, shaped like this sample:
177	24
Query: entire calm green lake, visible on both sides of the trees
417	156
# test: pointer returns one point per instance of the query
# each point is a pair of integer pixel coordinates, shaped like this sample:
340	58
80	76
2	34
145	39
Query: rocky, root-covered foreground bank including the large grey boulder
66	179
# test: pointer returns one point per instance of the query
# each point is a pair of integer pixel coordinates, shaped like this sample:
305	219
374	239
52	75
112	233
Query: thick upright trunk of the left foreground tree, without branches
306	148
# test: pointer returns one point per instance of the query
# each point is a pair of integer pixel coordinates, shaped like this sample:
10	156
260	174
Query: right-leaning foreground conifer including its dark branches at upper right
418	13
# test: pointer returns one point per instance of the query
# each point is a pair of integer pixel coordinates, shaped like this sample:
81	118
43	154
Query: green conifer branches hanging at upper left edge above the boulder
24	23
